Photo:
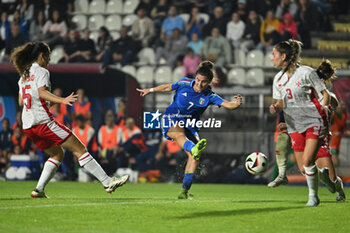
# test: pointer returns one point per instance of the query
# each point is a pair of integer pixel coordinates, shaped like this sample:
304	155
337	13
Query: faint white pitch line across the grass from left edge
107	203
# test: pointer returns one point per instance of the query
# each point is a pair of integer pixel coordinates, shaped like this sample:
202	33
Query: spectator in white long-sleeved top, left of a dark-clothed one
235	30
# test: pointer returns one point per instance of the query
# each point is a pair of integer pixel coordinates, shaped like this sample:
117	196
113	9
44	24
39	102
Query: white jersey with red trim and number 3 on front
299	93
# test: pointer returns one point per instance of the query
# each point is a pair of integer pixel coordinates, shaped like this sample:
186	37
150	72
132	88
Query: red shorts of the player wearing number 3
299	139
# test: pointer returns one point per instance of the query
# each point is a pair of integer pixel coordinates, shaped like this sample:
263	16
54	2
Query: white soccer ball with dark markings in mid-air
256	163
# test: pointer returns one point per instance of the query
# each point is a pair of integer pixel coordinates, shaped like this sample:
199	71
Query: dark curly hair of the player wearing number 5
24	56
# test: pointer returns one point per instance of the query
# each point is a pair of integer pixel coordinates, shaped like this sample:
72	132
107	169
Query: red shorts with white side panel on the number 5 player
48	134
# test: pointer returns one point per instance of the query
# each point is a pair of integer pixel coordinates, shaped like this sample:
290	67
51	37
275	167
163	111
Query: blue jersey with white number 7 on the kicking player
188	104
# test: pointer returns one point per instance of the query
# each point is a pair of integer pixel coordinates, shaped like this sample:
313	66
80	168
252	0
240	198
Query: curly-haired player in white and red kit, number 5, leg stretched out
30	61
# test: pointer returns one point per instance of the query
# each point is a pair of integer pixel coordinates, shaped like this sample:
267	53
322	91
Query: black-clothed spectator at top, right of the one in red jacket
307	19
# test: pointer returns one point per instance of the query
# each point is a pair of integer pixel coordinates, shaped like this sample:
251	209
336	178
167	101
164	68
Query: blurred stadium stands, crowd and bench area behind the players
108	48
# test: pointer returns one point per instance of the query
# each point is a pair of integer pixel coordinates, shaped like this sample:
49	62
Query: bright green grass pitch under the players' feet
86	207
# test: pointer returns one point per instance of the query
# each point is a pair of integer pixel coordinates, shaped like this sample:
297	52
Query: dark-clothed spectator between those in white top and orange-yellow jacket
251	36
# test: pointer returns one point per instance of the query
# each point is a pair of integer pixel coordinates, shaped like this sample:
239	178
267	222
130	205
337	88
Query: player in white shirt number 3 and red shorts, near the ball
295	90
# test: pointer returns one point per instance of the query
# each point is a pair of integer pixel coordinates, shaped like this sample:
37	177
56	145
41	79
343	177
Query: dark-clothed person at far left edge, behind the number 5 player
5	142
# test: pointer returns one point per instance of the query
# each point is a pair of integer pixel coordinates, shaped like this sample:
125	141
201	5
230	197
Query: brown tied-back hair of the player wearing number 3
292	49
